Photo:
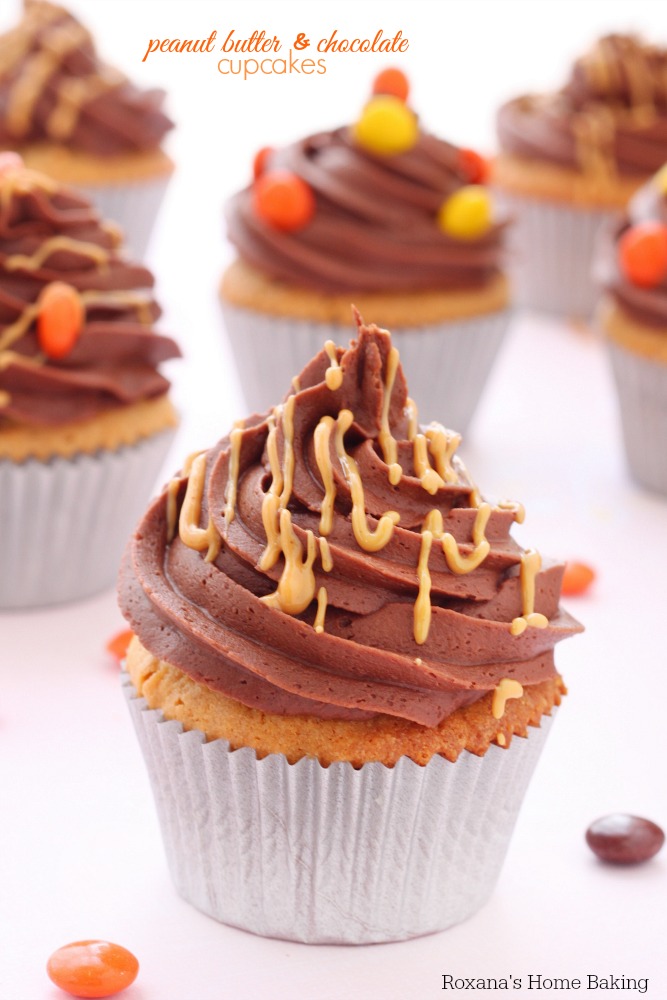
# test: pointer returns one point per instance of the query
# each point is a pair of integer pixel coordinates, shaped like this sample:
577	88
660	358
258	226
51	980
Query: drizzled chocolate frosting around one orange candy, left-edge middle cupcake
49	234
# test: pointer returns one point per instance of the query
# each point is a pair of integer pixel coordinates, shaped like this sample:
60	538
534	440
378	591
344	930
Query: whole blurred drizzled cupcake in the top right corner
570	160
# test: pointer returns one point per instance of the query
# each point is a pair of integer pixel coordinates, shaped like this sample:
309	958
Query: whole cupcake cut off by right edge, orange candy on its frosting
632	269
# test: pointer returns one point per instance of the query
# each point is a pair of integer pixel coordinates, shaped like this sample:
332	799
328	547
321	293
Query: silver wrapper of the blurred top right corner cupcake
551	253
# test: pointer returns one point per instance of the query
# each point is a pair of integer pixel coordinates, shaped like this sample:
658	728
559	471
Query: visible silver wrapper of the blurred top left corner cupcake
133	205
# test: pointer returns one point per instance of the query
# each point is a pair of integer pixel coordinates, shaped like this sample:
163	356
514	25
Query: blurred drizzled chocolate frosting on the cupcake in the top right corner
610	117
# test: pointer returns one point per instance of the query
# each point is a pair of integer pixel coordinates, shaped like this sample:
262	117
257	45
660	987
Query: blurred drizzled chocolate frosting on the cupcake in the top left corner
55	88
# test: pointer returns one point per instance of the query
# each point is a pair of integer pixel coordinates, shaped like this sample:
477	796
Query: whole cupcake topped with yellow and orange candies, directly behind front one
386	216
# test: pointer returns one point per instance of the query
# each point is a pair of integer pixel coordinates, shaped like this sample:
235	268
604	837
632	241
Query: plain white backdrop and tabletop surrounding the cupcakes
80	851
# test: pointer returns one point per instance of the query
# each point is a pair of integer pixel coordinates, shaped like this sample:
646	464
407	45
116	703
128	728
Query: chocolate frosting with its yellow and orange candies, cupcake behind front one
377	206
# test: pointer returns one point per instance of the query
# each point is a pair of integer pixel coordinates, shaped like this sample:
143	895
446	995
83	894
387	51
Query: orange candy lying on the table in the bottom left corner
92	968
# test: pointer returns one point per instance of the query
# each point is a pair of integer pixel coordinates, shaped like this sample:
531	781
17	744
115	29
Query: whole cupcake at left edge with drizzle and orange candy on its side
85	420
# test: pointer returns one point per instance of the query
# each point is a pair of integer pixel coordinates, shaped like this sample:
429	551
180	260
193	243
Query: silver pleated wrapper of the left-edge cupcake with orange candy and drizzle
64	523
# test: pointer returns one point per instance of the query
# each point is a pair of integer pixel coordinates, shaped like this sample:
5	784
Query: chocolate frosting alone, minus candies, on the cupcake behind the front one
374	227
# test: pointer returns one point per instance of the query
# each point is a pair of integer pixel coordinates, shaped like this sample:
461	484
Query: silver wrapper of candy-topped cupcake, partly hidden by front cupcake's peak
446	364
